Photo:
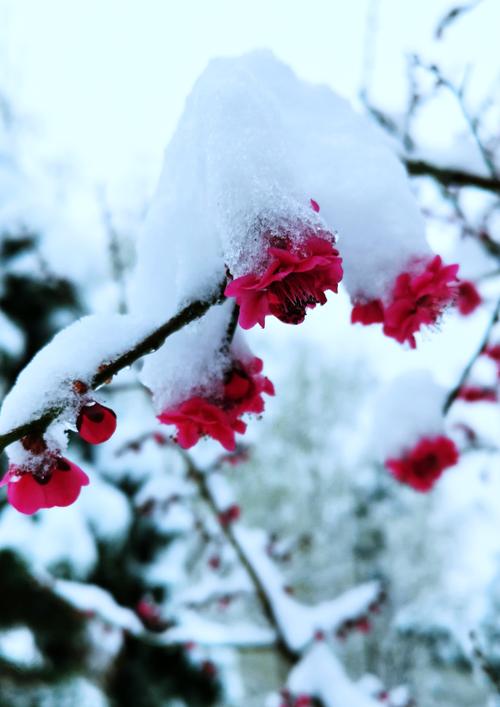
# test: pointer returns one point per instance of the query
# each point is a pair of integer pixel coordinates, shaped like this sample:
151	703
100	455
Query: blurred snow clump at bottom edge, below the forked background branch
320	674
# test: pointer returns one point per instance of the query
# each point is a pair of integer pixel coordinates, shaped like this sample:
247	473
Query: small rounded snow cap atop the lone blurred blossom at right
405	410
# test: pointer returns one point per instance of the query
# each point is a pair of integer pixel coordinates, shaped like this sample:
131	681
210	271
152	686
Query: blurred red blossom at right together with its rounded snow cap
416	450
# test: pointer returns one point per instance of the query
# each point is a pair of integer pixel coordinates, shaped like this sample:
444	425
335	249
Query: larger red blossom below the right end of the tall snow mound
419	300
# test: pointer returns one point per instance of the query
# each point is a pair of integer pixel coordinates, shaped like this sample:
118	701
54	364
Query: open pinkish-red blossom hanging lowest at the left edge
57	483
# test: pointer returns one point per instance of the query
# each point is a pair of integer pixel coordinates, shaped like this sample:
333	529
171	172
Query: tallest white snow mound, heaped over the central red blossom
253	145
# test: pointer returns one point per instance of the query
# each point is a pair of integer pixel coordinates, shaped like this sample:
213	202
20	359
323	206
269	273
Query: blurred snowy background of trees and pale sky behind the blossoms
93	597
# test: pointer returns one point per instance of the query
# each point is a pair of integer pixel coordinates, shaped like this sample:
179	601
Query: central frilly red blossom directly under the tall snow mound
295	280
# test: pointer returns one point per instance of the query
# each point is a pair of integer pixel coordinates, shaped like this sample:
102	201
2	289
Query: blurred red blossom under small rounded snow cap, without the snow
422	466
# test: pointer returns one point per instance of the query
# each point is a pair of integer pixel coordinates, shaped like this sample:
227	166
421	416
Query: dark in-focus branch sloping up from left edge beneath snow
148	345
